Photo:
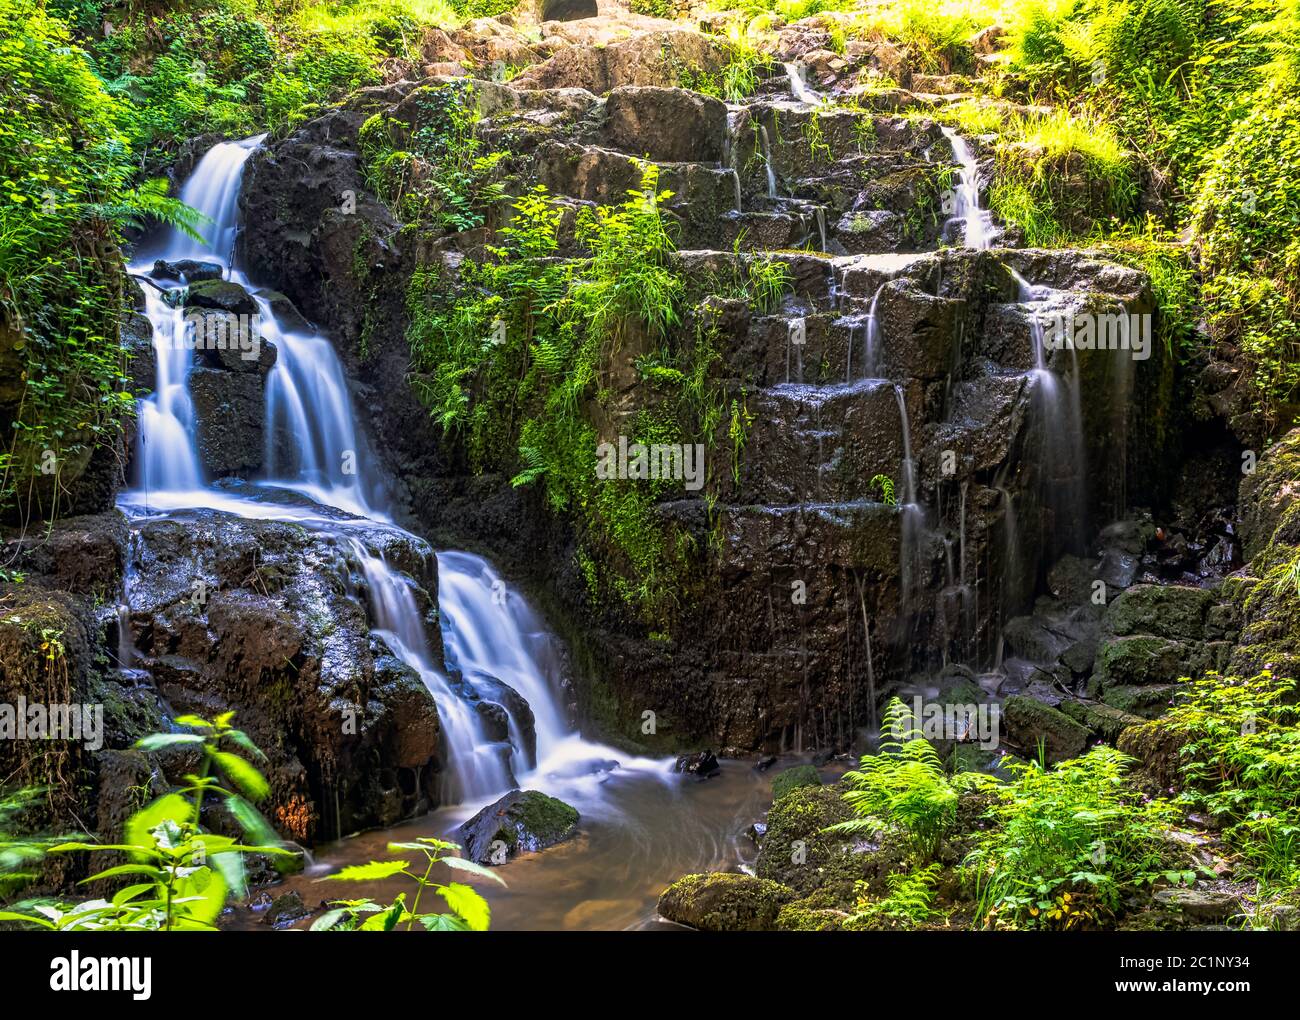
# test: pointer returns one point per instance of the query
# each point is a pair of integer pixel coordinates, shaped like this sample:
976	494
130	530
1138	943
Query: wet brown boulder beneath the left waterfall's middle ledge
263	619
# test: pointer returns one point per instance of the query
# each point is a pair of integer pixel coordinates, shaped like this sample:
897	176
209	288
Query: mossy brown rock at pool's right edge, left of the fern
798	853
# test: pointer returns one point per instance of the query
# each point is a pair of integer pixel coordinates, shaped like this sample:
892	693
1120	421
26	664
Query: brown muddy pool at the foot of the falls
642	828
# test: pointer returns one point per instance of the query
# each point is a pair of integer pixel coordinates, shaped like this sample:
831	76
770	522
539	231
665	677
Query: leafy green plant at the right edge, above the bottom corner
1241	763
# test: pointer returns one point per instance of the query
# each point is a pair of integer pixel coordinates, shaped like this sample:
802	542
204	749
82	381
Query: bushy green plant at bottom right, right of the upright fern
1069	844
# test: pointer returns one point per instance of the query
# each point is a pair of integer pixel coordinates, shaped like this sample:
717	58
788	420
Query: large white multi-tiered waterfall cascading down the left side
495	641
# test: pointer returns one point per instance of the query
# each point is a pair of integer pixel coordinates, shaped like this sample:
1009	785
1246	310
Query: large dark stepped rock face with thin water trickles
818	593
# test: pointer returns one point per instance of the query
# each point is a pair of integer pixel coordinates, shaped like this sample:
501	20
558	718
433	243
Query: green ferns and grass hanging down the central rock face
514	363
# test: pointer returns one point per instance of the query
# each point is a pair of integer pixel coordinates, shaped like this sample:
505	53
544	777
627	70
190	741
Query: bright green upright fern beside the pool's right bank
904	788
